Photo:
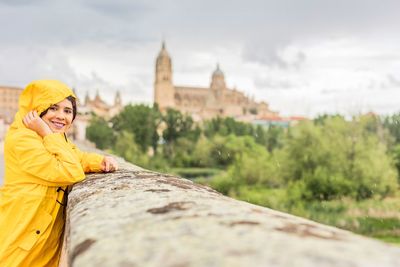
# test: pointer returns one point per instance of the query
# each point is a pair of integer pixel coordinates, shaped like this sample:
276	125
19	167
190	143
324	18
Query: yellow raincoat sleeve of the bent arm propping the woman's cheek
50	159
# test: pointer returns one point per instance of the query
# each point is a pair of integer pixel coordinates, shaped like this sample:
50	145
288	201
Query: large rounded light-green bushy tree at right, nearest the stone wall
337	159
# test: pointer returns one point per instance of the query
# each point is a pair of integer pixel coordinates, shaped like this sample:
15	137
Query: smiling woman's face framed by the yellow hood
59	116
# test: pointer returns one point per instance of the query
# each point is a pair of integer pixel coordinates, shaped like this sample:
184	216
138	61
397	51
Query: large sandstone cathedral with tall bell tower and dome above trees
204	103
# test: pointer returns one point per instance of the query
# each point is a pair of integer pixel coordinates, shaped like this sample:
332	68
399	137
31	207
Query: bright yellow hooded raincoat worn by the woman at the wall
36	169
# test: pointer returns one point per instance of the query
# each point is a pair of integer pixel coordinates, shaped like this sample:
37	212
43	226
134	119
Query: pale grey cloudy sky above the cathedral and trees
303	57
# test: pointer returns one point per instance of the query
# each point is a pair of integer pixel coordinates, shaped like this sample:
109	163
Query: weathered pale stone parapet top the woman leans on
140	218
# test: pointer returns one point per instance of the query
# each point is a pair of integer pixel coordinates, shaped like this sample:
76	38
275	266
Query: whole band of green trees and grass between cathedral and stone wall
342	172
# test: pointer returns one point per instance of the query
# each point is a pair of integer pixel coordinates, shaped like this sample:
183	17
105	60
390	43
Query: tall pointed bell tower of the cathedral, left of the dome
163	87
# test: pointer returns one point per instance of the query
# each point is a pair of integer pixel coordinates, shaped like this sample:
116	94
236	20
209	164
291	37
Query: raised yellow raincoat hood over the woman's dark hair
40	95
